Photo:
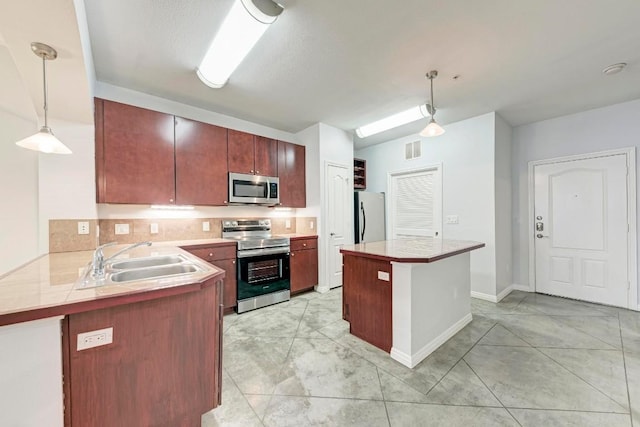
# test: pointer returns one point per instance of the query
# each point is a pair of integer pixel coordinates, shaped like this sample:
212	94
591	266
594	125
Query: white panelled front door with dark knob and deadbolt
581	229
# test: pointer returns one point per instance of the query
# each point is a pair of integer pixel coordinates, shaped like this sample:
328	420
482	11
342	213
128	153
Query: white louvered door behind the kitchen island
415	203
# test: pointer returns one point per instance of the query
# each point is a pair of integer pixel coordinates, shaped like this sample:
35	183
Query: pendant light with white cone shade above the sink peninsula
44	141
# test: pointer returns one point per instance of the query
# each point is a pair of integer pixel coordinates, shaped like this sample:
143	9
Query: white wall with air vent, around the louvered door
466	151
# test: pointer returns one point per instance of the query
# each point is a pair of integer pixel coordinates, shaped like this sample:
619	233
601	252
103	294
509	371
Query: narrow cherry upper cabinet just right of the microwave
291	171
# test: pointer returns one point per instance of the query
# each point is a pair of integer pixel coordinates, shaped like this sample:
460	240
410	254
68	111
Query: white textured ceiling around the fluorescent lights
347	63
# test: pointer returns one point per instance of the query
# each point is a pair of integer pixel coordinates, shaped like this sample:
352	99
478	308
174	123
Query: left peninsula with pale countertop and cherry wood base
162	367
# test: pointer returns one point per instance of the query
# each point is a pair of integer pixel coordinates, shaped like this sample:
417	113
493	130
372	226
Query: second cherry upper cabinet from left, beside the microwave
201	163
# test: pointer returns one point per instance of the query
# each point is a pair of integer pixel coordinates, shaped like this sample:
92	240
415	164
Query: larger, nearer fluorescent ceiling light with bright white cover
240	31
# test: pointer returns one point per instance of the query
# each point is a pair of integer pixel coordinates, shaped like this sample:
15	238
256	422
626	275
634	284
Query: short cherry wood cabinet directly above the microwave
252	154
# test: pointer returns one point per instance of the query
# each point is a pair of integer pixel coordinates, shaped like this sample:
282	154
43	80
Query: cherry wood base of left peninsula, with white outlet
162	369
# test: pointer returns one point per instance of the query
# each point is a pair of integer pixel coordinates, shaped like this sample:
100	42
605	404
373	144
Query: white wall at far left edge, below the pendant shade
19	189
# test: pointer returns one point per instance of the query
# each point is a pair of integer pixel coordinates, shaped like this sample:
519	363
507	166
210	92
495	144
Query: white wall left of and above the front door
616	126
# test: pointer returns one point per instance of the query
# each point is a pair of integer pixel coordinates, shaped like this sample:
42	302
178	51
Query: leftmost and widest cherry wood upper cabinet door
134	155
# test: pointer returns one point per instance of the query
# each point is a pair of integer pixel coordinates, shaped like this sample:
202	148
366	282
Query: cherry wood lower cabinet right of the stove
303	263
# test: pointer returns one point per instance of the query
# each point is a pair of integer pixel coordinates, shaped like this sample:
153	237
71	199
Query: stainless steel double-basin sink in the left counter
138	269
